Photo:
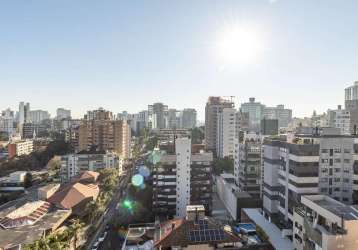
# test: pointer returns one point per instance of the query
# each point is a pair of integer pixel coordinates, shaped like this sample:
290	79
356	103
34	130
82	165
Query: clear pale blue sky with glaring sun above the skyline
124	55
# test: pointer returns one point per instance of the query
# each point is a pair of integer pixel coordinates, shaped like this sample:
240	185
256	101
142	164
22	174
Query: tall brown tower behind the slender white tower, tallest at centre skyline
213	107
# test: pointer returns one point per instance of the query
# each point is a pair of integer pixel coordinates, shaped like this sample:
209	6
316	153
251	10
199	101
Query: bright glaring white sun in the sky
239	46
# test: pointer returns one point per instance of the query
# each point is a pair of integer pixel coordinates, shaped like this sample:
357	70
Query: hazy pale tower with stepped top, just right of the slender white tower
255	111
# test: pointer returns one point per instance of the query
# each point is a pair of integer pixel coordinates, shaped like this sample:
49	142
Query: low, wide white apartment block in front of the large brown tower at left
74	164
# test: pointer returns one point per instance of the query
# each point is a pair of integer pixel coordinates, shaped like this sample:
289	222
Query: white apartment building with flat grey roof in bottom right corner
324	223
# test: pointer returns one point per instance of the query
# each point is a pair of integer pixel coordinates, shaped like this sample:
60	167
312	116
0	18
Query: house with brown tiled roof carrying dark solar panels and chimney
195	231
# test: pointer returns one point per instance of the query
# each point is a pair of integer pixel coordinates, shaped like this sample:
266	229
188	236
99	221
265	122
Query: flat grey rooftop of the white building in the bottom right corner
335	207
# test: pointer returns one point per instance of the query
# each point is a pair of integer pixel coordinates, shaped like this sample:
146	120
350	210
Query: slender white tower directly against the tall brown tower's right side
226	132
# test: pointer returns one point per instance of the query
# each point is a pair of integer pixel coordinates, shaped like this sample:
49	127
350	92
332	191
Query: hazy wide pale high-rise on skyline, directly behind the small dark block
284	116
